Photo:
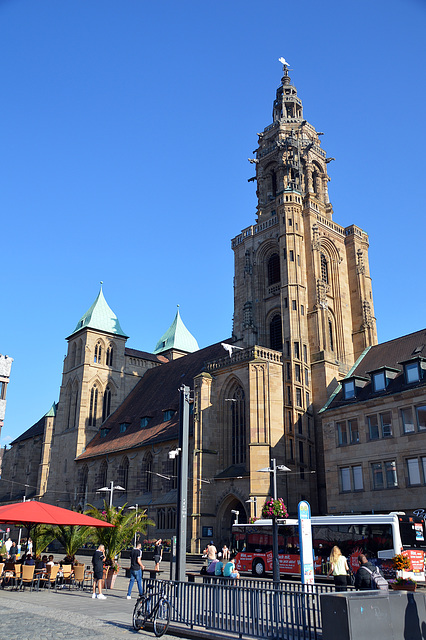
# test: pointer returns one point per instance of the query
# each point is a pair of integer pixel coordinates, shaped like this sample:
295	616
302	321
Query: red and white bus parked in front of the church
380	536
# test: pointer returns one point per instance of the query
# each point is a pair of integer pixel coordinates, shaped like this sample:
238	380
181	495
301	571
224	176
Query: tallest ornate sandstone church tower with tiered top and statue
302	284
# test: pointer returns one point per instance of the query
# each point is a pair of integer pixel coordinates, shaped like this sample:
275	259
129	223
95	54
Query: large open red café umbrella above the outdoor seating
31	512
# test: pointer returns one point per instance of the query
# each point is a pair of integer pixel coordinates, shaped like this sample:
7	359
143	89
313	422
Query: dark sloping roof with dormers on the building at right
389	355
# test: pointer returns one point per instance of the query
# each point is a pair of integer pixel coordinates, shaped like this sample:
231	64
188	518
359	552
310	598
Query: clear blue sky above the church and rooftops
125	131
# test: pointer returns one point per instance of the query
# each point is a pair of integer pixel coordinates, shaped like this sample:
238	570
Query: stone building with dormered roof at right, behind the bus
374	429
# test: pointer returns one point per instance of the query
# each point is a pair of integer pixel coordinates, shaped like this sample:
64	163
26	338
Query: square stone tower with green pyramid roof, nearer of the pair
93	386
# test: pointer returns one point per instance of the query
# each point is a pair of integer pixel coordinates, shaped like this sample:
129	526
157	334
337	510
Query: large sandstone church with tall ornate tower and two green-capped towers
303	314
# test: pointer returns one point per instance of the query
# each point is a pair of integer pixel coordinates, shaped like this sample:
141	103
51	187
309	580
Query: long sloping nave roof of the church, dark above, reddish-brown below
156	392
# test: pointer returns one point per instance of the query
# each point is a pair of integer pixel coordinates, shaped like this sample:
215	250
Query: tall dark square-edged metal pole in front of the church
182	502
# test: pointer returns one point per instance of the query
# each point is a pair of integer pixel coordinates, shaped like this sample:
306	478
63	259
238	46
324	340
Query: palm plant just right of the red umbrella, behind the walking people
117	538
